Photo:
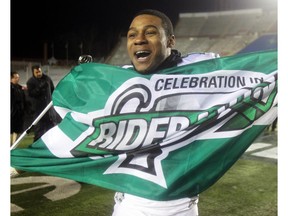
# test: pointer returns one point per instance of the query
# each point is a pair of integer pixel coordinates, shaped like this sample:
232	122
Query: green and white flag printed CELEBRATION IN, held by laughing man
160	136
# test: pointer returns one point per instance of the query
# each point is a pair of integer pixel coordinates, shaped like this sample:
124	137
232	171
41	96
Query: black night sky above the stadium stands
98	26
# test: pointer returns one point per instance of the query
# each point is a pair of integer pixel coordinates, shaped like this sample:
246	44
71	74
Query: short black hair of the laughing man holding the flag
166	22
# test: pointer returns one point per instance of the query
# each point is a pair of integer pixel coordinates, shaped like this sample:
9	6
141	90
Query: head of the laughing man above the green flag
149	42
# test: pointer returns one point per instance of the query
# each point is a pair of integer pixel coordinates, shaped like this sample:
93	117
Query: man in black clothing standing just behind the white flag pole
40	88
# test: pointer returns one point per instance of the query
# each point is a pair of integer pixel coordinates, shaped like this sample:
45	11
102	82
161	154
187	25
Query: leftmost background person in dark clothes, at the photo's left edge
17	106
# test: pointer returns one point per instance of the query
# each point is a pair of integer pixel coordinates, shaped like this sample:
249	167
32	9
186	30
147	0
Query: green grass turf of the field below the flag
248	188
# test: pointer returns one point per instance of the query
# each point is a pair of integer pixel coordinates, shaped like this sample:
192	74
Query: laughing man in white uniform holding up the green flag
150	42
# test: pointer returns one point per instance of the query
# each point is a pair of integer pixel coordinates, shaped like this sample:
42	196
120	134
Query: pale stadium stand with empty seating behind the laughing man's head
223	32
